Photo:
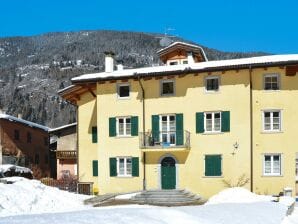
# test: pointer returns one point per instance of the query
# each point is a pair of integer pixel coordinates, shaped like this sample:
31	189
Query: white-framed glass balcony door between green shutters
168	129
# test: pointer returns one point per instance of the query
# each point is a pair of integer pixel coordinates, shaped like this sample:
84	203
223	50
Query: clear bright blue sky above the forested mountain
251	25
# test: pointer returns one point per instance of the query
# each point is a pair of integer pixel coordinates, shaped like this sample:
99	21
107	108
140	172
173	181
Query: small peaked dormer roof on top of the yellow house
186	46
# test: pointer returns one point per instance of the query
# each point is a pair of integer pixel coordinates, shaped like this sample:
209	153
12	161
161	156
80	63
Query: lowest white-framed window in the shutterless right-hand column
272	165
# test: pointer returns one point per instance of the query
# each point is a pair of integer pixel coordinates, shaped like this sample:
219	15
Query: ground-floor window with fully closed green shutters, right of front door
213	165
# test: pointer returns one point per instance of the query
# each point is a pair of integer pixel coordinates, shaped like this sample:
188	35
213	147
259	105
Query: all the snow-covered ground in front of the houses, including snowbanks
29	201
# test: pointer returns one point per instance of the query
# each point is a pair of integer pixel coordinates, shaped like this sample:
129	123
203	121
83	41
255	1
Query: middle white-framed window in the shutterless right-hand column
272	120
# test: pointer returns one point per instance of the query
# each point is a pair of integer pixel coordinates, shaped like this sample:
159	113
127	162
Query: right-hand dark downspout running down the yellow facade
251	129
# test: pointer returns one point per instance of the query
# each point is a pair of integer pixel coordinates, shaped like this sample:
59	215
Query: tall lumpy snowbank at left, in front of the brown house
31	196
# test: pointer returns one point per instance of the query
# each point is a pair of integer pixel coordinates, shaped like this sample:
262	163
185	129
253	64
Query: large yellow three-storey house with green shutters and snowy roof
192	123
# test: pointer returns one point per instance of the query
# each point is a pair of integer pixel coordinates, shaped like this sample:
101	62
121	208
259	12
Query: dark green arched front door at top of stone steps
168	173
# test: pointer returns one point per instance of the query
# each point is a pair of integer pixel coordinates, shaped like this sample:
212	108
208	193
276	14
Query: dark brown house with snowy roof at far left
25	143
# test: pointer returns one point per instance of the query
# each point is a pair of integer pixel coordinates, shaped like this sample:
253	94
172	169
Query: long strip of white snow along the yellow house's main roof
189	67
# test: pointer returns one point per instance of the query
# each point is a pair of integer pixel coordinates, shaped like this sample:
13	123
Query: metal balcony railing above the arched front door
164	139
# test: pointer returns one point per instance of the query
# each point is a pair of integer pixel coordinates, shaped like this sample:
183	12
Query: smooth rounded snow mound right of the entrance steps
237	195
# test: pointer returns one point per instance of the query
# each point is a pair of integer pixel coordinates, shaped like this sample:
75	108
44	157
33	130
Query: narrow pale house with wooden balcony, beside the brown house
65	140
